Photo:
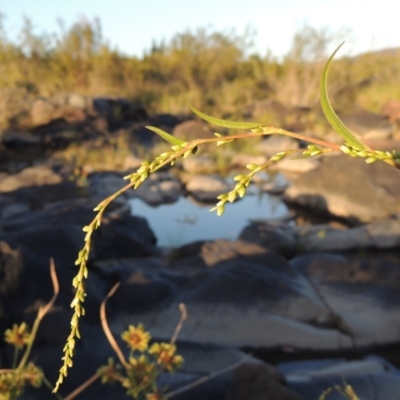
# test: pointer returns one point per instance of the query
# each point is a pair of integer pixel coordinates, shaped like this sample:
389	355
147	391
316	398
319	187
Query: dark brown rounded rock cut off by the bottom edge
257	382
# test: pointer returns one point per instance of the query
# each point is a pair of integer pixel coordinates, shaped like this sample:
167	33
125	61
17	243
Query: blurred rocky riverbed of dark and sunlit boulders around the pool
283	290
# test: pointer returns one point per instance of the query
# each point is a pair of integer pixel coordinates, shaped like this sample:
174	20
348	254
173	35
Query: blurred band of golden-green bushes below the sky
218	71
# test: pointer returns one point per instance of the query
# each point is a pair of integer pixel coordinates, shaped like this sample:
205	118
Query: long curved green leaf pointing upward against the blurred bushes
330	114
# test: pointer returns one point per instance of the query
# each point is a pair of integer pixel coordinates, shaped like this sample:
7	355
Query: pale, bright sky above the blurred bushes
132	25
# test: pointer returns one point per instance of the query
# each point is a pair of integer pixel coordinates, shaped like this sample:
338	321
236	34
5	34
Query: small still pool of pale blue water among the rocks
186	220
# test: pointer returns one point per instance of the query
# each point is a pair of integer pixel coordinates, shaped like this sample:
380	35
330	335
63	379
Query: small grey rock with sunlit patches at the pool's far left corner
159	188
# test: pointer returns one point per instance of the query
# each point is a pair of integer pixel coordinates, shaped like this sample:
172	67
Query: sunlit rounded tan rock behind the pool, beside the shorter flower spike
207	188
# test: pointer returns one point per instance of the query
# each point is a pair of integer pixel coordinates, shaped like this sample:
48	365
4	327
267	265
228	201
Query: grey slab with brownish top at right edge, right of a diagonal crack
364	298
